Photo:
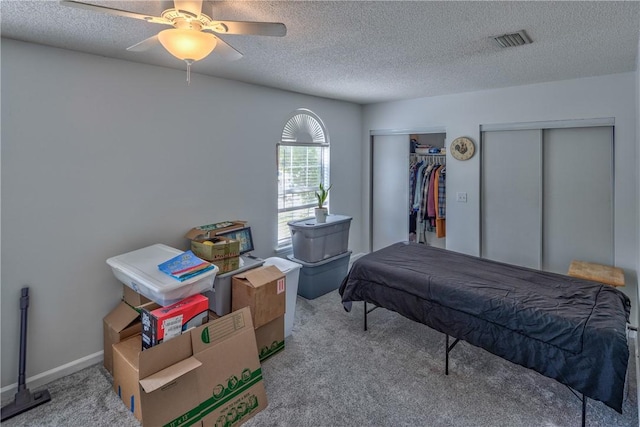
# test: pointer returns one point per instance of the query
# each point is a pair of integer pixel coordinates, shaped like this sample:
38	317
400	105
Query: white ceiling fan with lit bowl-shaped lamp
194	35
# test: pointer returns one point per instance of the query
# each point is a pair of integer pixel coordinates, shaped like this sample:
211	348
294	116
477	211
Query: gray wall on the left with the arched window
102	156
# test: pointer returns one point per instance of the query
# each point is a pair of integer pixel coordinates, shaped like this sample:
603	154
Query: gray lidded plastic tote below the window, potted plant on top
314	242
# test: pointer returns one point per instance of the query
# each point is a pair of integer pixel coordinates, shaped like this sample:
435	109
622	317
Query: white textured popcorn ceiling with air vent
363	51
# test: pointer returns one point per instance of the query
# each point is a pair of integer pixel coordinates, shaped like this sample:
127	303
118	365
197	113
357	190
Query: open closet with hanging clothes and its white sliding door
399	198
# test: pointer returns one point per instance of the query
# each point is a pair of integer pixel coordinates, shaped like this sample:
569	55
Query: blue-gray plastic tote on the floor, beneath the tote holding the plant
319	278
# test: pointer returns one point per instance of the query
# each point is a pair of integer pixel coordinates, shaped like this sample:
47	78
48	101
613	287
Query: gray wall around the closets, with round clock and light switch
463	114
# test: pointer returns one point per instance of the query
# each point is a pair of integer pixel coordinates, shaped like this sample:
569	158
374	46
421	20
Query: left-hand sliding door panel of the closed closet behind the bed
511	197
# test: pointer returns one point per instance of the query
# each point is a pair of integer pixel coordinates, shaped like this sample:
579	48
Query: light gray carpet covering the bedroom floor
332	373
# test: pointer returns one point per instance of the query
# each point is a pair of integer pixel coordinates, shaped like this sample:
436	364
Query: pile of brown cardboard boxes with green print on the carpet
208	375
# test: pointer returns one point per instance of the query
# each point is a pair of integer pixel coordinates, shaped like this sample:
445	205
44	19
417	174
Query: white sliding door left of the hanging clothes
390	190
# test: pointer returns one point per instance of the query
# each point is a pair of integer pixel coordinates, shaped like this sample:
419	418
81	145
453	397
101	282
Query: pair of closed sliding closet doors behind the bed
547	196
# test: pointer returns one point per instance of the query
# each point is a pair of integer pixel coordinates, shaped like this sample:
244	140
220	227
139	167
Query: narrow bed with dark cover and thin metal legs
565	328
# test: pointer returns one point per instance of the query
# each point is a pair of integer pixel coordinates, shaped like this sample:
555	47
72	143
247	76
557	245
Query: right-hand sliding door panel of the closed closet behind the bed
578	197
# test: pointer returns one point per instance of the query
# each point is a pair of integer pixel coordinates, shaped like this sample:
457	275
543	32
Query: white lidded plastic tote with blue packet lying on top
139	270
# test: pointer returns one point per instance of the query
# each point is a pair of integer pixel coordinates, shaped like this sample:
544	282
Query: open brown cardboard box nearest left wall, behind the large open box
122	322
